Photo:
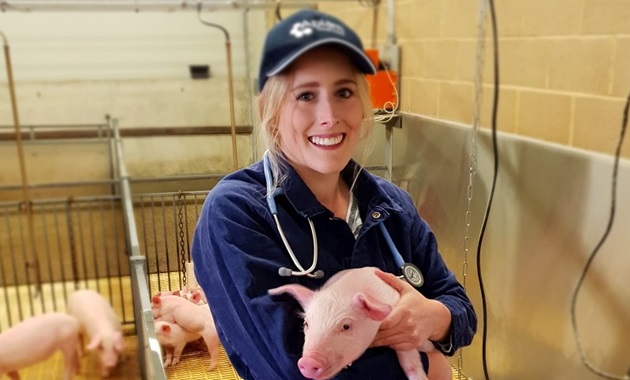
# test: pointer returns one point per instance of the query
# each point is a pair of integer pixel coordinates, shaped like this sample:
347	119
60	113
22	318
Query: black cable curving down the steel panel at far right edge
613	202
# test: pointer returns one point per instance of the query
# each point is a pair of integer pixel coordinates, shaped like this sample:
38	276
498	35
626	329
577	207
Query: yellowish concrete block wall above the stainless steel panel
564	65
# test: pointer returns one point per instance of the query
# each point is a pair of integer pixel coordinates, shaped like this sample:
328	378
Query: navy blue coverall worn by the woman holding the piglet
237	252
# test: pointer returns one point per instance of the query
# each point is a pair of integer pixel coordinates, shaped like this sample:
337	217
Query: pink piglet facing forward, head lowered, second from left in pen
100	324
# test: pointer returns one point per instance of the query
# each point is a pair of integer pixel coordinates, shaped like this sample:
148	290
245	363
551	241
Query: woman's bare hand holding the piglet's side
413	320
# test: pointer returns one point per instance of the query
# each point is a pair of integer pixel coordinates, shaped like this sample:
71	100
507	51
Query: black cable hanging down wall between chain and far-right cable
495	107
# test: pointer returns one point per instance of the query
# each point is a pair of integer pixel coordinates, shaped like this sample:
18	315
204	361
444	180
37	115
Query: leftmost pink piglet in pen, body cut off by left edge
36	339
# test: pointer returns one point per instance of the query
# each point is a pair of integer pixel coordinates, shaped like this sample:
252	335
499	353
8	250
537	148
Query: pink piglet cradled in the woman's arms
342	319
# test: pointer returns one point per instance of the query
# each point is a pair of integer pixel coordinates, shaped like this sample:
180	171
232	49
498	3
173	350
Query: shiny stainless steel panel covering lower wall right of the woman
550	210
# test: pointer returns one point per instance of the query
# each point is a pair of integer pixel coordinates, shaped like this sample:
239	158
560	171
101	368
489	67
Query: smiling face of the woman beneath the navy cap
321	115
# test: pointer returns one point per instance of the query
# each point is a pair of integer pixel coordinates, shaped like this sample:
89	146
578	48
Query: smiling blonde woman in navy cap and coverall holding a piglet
314	109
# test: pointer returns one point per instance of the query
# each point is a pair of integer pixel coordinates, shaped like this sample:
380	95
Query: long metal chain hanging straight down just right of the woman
472	158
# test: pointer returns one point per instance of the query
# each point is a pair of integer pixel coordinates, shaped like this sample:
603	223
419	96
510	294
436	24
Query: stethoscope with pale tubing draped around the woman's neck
410	272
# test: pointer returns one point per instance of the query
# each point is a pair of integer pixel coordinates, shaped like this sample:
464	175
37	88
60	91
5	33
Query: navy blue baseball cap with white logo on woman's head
303	31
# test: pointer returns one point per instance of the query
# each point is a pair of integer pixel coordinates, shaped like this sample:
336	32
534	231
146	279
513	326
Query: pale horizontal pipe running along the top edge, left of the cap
149	5
